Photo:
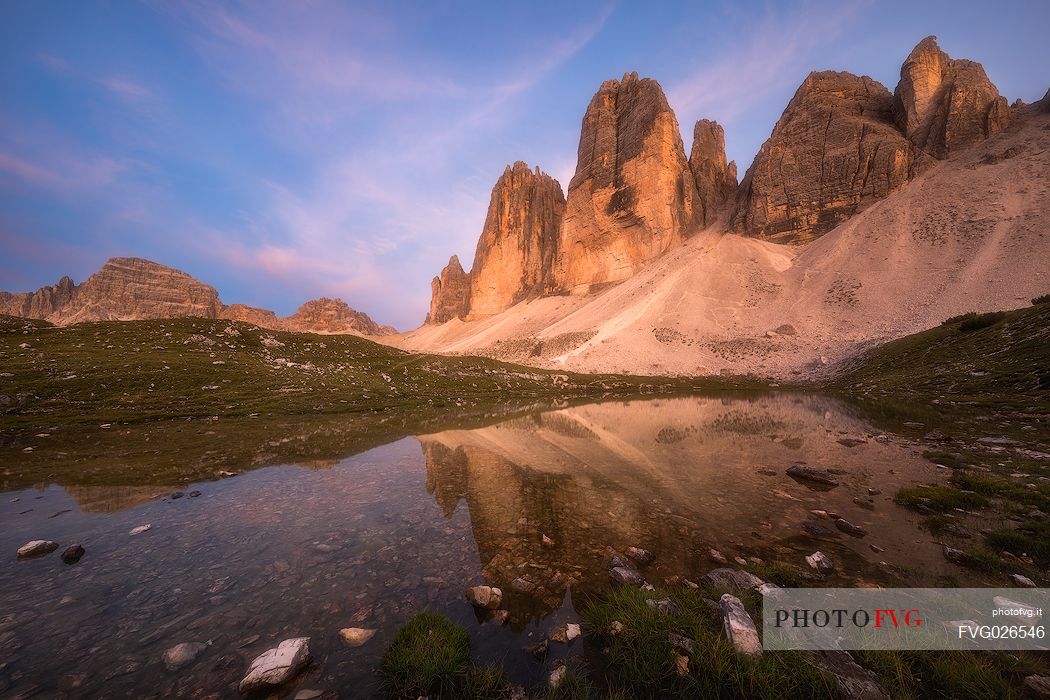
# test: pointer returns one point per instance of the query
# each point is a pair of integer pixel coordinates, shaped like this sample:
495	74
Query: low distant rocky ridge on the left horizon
131	289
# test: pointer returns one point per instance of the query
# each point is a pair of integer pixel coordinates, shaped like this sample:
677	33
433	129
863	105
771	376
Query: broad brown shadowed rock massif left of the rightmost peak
834	151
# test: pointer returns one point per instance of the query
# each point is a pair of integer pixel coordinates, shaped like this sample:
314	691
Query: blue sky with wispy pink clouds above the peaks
287	151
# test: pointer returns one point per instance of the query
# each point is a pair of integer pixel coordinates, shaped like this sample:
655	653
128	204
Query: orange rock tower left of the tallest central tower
516	251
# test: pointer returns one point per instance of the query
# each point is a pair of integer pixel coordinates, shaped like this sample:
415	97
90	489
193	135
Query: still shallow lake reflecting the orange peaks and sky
306	550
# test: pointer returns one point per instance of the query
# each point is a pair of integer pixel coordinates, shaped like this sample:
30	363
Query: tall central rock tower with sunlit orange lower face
633	197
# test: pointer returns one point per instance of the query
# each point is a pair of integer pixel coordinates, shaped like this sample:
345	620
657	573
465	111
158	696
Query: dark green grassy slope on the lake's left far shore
184	399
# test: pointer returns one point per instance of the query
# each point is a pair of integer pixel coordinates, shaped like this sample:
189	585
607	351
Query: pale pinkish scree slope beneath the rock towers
967	235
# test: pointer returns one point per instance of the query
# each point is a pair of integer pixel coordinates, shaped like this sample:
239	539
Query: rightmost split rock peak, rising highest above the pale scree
943	104
